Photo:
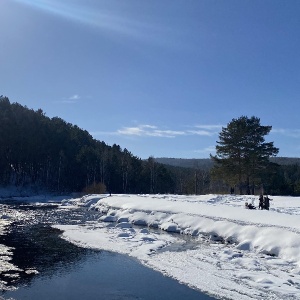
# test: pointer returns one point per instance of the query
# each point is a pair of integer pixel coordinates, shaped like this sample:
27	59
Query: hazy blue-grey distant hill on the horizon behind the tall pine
207	163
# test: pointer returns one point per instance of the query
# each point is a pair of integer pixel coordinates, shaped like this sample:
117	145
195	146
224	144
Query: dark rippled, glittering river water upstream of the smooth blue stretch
35	245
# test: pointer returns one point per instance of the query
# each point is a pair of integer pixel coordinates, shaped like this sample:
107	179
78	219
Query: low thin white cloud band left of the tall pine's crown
144	130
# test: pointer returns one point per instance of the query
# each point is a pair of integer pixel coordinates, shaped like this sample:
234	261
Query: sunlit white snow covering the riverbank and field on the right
232	252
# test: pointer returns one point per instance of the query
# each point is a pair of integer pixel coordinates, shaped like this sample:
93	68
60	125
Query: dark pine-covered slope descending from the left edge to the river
51	154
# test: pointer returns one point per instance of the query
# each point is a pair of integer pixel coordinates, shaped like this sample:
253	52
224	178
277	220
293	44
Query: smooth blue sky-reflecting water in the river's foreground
106	276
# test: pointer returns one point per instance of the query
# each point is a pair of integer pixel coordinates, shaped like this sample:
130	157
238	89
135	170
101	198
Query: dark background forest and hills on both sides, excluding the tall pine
49	154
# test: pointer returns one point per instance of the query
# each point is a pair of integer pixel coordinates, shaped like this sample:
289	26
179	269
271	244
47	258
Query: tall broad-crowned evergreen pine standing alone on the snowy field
242	153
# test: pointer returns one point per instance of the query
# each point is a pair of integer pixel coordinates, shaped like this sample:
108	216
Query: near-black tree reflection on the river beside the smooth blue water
39	247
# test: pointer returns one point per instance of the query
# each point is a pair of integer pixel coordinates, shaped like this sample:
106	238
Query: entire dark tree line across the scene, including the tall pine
52	155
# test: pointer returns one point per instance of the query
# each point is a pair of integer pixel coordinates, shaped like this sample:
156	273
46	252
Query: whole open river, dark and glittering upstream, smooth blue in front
66	271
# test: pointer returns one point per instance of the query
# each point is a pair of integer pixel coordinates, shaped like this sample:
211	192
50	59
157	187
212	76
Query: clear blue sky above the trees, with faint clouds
159	78
